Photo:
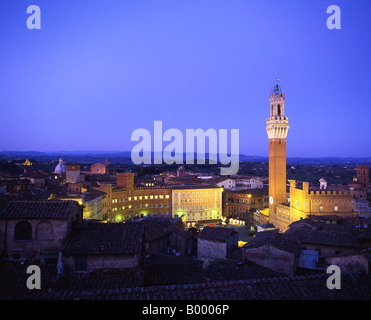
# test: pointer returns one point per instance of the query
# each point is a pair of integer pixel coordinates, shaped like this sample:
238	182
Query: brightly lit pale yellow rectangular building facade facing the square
201	204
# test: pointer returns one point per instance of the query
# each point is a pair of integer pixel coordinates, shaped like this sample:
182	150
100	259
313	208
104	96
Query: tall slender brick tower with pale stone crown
277	128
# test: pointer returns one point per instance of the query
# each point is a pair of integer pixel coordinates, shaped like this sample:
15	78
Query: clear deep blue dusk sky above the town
97	70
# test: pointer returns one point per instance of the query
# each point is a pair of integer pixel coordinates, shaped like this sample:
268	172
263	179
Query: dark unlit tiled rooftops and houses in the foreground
152	258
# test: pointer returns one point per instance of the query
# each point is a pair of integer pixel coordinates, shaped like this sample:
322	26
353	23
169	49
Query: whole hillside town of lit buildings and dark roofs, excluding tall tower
100	234
